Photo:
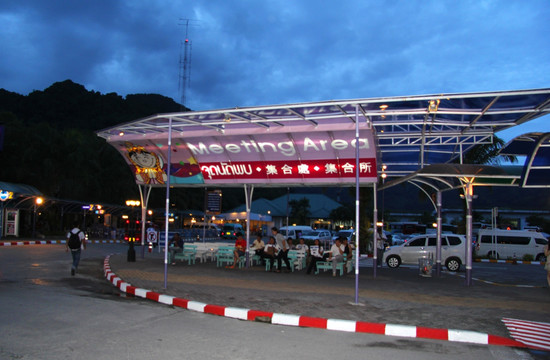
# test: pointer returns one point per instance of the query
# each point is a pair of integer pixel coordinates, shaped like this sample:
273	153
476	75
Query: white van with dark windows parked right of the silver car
511	244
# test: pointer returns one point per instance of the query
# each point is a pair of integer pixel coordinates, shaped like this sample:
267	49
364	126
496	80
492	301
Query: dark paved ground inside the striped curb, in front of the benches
394	296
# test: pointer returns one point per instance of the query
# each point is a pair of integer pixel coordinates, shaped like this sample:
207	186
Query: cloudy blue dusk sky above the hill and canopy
248	53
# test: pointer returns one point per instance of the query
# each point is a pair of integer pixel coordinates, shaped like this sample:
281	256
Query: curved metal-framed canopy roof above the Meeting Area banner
411	132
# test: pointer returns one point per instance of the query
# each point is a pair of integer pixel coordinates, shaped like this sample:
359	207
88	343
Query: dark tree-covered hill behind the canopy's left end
50	141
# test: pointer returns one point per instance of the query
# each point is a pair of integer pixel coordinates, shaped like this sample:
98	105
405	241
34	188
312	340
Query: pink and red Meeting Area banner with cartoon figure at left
316	157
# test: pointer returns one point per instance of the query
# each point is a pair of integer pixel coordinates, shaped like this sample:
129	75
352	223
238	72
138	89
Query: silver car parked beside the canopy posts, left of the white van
424	246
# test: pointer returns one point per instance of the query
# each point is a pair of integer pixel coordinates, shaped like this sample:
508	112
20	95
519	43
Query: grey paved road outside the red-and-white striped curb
47	314
